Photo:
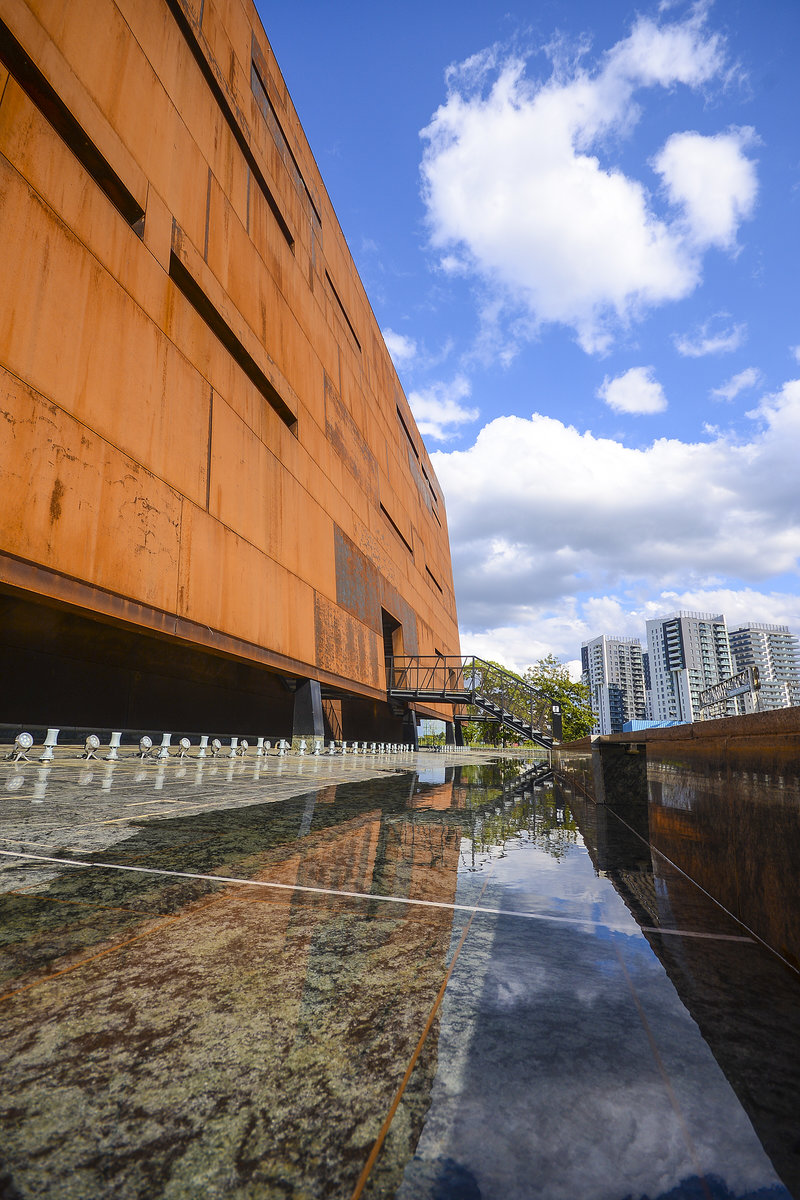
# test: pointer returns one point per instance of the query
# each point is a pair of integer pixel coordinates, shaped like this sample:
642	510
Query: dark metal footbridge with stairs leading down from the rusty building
494	694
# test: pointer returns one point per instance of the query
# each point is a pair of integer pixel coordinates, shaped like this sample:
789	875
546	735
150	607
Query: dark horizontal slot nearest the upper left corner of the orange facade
52	107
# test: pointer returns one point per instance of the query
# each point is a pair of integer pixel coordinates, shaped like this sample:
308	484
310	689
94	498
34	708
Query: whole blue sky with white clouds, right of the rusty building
580	230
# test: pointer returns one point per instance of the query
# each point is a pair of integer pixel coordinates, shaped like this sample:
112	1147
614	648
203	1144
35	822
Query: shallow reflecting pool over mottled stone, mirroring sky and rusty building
431	985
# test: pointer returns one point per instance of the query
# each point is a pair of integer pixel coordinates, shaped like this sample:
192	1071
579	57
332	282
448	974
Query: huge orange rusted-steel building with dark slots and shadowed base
212	484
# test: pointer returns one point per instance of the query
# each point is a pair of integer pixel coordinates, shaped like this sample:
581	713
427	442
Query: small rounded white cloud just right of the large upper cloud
712	181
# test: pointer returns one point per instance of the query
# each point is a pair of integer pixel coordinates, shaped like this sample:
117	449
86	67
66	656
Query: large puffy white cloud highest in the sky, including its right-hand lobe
515	187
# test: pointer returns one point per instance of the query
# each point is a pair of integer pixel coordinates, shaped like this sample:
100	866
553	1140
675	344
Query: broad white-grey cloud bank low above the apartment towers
587	515
